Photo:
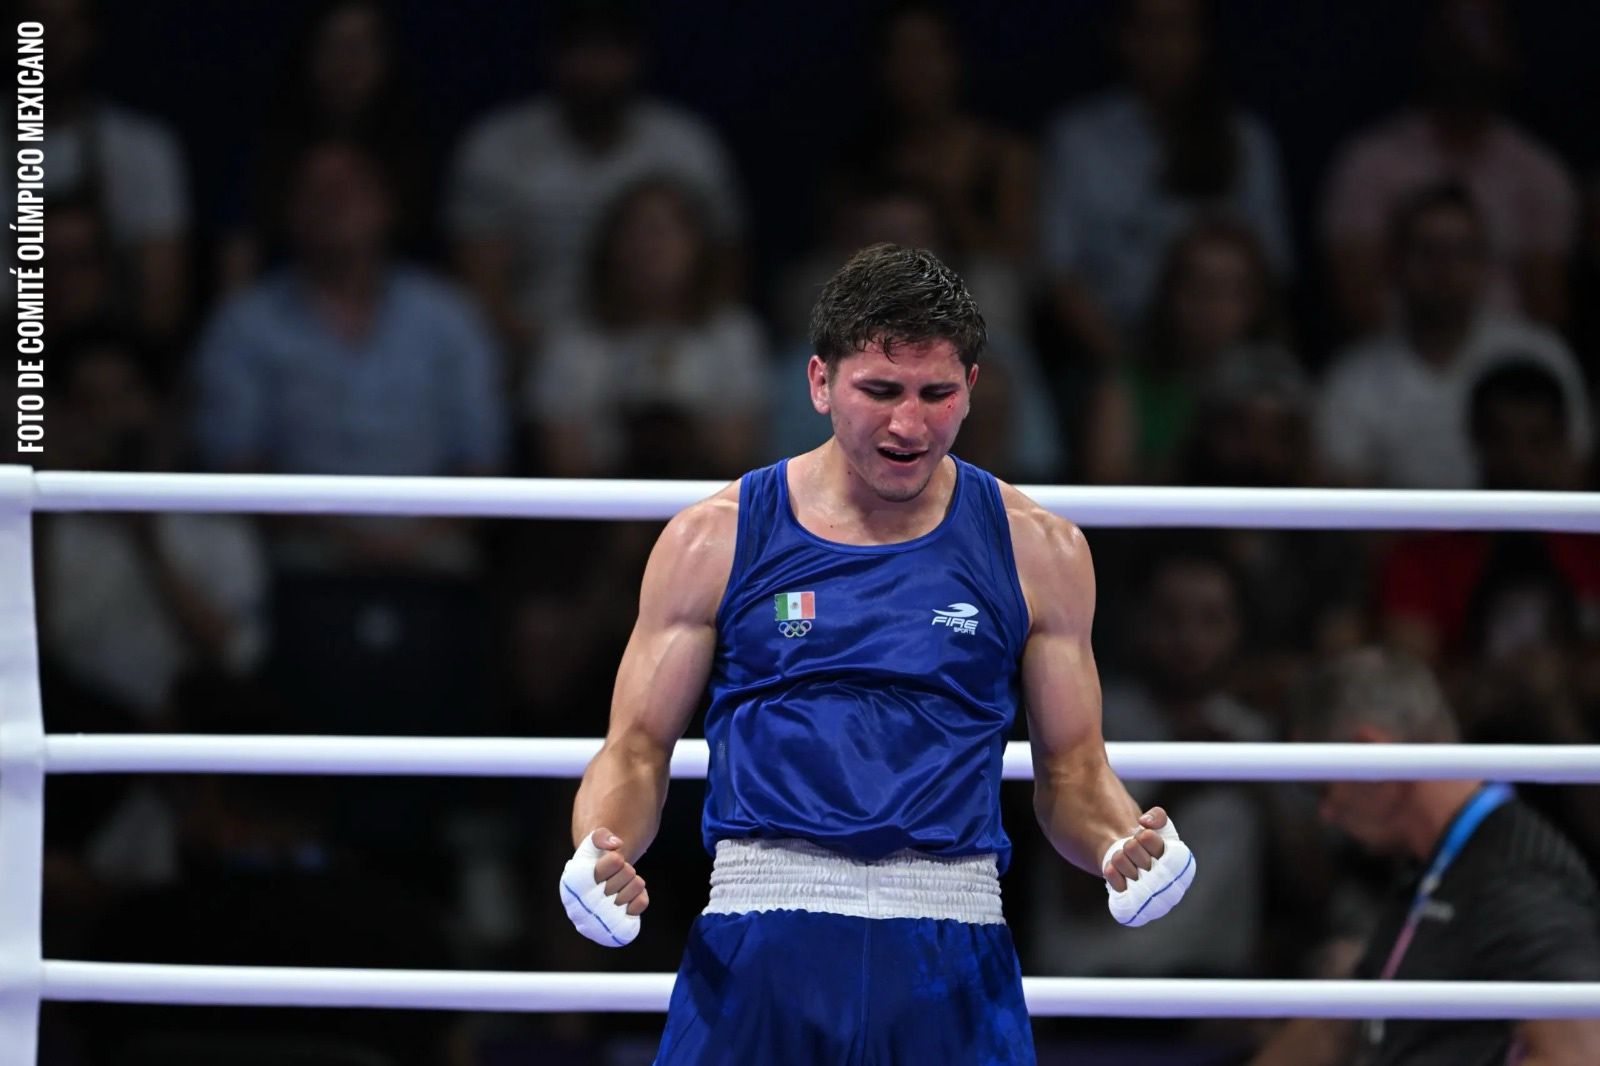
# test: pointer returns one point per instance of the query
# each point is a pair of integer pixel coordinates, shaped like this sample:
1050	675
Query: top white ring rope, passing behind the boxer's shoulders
551	499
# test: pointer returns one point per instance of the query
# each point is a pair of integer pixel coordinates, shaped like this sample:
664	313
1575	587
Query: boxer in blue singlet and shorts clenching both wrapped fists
865	622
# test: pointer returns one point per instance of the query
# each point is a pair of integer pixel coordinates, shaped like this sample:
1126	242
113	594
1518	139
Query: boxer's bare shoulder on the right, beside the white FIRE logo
1054	564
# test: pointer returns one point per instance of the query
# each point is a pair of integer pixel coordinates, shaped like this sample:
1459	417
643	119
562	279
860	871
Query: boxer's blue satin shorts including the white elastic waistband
809	958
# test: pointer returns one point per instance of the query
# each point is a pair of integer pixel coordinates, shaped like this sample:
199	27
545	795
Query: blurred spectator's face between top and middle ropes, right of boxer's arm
1191	628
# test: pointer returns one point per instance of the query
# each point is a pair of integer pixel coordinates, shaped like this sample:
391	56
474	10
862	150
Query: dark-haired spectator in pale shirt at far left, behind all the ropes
137	612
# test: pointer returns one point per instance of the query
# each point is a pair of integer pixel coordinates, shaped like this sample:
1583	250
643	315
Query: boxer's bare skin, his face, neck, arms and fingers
884	478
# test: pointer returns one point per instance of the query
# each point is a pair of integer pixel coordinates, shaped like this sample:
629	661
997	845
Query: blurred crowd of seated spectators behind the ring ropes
578	284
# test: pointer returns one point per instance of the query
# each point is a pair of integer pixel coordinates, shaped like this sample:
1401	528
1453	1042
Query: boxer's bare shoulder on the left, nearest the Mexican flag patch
689	567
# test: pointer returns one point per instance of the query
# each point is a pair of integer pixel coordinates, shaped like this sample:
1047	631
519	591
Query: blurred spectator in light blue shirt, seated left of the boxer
350	363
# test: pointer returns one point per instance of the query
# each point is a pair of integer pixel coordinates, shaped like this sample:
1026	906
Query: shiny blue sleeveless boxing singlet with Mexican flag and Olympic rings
862	695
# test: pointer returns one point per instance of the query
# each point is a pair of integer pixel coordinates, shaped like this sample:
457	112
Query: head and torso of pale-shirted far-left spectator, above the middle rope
134	604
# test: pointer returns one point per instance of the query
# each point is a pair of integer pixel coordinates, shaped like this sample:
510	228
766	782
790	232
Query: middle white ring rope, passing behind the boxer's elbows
559	758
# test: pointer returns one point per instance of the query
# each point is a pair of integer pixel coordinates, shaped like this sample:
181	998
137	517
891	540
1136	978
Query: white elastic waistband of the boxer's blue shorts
801	876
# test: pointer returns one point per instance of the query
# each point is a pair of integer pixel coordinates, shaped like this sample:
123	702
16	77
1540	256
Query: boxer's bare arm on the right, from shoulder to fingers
1079	801
